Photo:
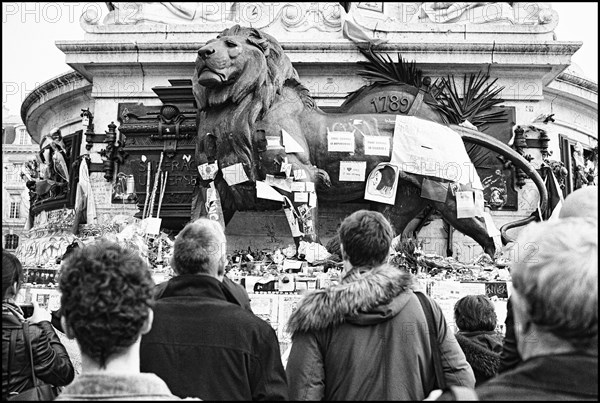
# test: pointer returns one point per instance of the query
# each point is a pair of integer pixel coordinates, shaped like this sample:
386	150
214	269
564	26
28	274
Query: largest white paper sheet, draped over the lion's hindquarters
431	149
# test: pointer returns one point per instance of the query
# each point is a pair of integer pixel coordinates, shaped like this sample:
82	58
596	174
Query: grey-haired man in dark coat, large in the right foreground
555	292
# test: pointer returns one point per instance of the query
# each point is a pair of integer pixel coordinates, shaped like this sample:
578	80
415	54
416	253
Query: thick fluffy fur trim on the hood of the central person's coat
359	291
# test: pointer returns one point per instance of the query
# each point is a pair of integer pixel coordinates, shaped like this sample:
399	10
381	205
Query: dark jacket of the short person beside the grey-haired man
482	350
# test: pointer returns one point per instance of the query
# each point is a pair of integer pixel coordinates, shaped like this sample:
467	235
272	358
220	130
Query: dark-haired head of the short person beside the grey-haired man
475	313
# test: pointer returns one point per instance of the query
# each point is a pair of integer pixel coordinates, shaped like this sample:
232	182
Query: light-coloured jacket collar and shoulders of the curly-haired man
104	386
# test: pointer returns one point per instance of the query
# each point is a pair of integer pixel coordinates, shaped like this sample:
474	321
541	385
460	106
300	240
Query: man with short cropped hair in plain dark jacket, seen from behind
202	344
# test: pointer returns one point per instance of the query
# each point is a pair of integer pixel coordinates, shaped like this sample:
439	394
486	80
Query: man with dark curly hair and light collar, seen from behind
106	306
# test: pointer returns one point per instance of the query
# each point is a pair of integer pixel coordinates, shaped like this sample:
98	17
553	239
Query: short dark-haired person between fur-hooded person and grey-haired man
476	320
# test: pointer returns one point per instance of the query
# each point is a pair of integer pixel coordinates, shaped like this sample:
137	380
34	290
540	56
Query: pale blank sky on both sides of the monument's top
30	57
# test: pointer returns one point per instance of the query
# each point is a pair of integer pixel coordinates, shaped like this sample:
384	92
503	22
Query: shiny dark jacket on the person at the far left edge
51	361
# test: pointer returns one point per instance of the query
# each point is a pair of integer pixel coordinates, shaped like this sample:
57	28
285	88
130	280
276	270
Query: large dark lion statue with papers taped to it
248	96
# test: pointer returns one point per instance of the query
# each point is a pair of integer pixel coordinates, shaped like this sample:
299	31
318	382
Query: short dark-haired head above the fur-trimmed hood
365	238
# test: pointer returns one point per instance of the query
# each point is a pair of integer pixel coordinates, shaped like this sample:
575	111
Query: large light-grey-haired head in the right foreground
555	284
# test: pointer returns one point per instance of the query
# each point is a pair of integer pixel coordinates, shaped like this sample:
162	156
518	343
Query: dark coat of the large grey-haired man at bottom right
557	377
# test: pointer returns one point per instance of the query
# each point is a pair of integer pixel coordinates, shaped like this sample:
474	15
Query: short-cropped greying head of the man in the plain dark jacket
200	248
